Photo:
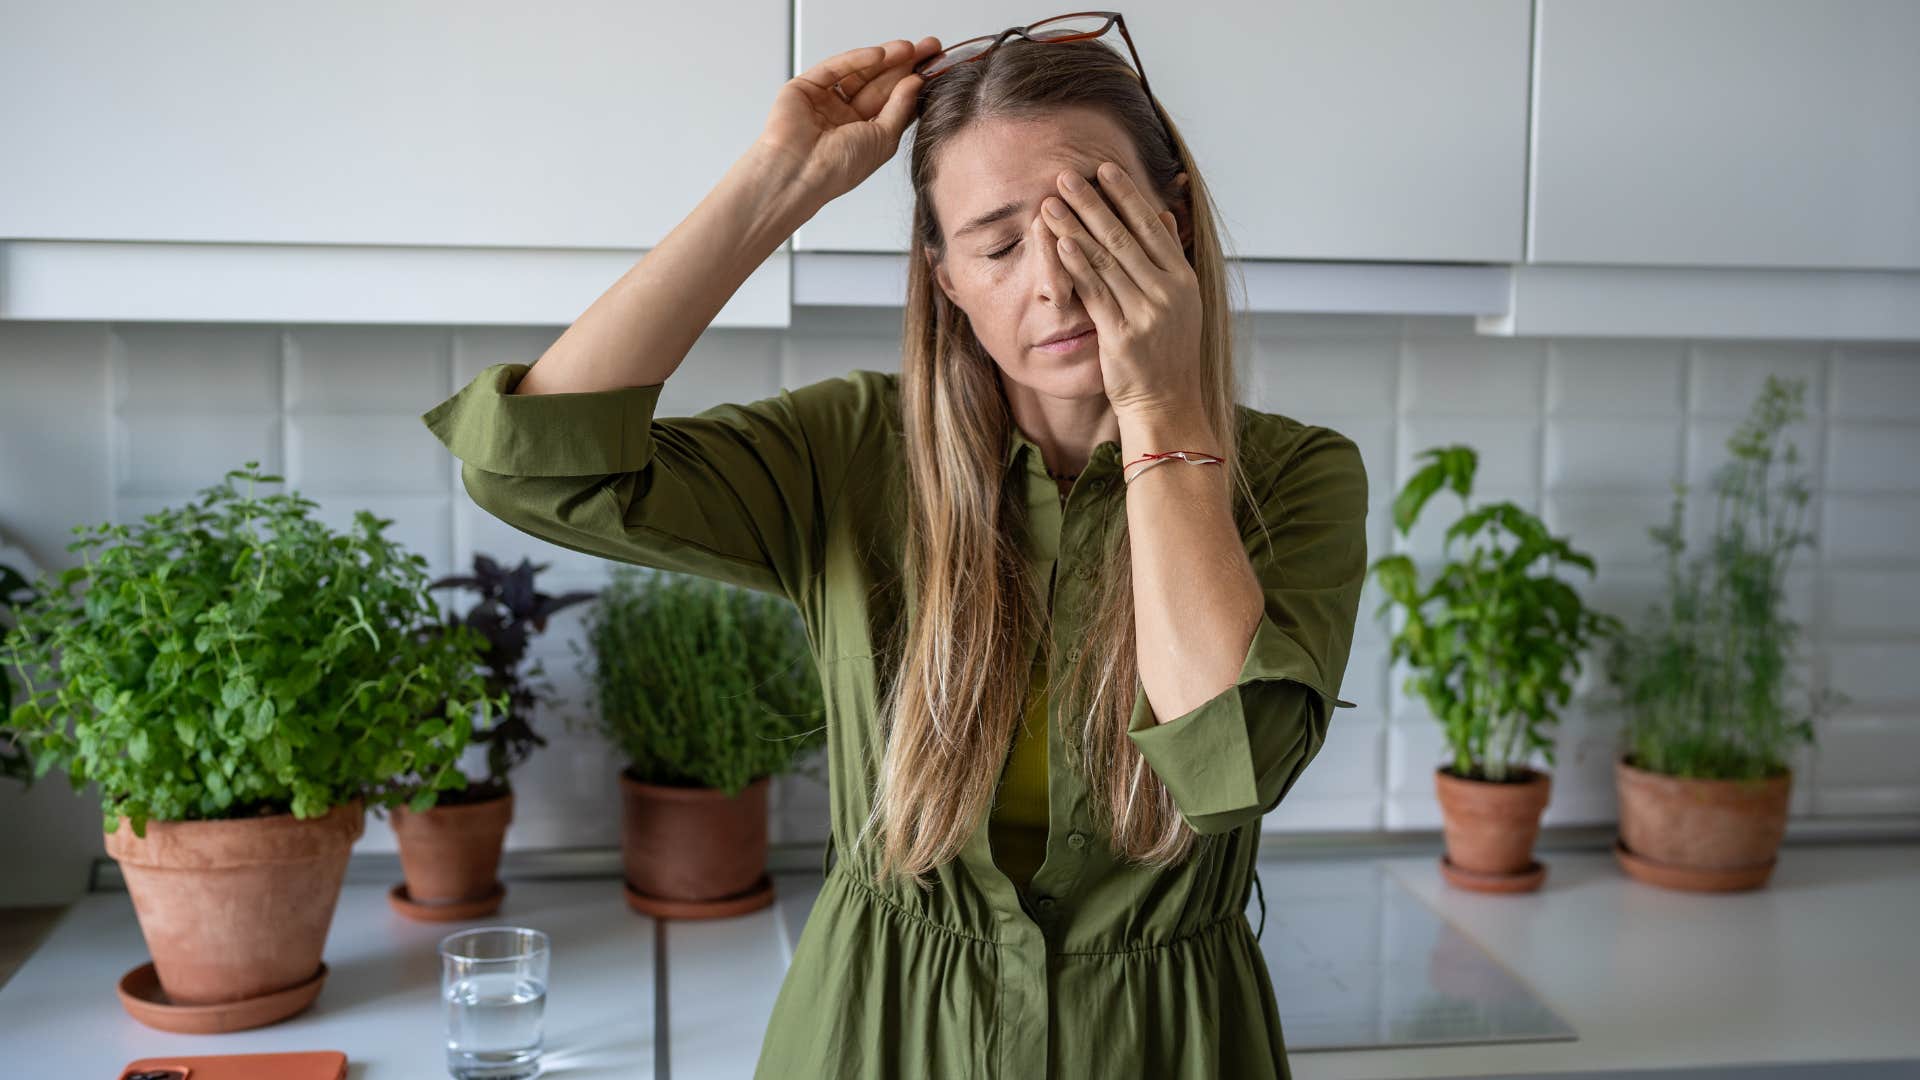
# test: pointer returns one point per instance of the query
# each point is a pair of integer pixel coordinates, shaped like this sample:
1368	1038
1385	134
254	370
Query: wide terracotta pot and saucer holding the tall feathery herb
1700	835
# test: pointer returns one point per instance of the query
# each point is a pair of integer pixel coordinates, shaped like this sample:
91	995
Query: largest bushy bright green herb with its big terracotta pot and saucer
239	681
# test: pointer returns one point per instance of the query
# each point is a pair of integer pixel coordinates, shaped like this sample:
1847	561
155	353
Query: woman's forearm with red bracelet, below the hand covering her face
1195	595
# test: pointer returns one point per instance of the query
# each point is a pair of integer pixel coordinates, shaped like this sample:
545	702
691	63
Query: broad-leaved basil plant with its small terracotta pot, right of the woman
1493	645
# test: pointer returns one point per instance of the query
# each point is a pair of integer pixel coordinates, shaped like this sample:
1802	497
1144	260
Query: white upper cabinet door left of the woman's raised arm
594	124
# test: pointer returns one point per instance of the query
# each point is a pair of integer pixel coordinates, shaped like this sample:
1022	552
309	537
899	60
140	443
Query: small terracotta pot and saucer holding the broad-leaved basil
1491	829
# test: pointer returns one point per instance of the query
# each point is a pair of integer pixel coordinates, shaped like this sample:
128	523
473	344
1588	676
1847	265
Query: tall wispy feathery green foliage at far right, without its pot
1708	674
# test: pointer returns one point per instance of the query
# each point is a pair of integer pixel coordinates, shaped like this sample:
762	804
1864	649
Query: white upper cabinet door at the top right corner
1729	134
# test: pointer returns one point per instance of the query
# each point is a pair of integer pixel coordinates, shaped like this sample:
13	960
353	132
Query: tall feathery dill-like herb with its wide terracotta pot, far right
1704	777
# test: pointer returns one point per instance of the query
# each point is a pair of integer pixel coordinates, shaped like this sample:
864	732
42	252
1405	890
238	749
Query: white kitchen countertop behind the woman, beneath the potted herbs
1819	968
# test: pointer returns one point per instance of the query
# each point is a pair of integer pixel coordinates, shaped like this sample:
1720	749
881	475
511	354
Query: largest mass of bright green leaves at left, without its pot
235	658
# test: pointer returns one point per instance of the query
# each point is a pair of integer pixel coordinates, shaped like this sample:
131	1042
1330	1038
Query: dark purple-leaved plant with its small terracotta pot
450	850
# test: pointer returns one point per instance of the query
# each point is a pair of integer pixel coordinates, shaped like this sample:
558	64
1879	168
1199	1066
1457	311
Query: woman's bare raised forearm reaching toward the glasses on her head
640	330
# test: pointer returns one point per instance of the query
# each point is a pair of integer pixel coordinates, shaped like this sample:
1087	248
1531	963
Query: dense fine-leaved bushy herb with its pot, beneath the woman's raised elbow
708	691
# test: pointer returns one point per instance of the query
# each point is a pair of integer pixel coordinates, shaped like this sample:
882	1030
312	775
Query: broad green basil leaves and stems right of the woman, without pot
1491	643
